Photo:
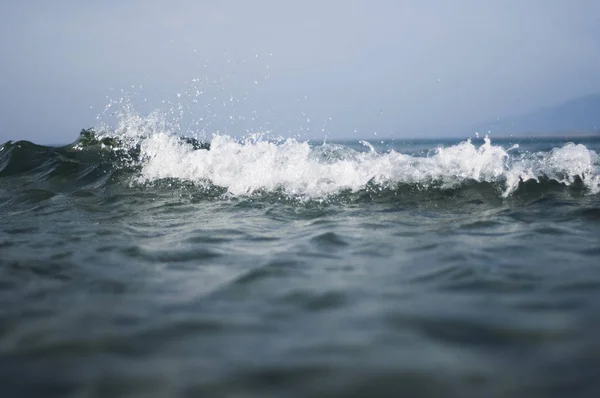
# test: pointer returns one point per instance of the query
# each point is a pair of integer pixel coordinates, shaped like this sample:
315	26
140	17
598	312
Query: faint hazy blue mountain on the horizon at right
580	116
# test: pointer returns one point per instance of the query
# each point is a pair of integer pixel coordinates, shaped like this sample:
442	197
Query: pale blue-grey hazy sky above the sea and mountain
311	69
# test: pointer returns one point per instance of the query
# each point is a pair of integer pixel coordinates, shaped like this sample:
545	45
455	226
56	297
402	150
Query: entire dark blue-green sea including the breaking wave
136	262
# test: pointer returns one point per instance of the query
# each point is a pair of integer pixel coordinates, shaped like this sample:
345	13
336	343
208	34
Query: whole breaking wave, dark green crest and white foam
292	168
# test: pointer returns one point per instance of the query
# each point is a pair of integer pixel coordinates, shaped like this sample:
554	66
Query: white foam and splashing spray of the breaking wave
306	171
